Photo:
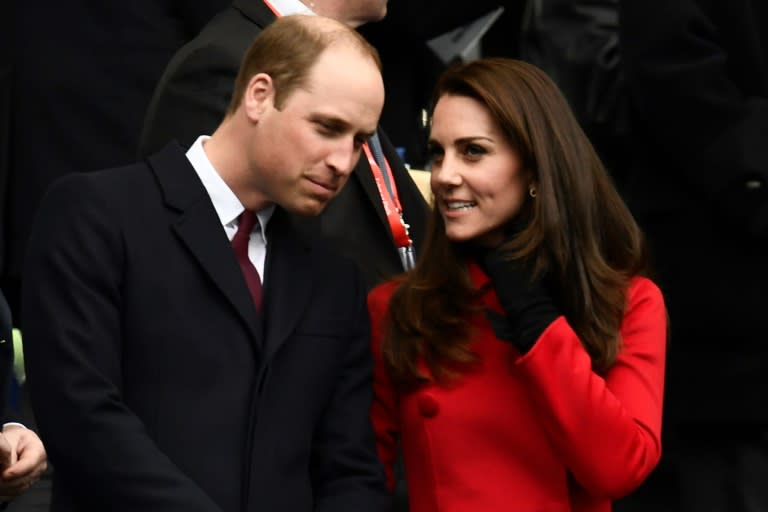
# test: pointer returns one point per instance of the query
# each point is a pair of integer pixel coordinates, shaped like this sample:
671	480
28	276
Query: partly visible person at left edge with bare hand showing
22	456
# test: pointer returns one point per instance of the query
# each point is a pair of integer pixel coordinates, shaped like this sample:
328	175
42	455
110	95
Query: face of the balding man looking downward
303	154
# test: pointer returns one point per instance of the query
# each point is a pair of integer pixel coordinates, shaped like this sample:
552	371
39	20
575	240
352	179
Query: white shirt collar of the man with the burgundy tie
228	207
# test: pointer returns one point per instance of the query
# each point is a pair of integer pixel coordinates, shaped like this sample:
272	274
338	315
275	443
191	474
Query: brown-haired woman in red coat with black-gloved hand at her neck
521	363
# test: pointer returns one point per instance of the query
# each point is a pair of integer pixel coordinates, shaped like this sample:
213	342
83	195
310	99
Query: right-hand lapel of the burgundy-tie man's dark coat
288	282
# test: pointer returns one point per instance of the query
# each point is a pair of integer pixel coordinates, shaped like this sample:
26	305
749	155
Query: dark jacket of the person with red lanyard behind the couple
191	98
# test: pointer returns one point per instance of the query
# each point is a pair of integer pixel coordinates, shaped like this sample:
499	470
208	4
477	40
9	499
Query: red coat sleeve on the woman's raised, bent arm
607	428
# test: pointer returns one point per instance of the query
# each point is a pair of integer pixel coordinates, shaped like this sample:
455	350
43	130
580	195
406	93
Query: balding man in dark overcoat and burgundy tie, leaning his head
165	373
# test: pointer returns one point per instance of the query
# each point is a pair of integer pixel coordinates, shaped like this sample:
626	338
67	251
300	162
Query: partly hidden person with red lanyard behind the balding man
194	92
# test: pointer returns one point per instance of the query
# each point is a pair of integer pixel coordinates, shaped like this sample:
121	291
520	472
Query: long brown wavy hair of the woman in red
579	235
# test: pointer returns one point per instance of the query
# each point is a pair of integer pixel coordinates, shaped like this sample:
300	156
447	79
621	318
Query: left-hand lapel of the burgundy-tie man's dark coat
199	229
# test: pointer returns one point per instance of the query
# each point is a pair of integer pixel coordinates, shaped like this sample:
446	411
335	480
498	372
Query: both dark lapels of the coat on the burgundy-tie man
288	277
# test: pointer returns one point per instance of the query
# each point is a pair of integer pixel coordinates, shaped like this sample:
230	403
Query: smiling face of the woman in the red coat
477	177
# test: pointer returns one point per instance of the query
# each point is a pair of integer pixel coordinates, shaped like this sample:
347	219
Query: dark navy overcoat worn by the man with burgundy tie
157	386
